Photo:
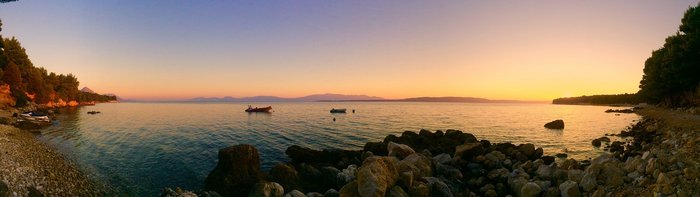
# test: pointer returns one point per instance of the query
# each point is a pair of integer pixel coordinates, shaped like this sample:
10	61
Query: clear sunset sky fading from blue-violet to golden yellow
175	49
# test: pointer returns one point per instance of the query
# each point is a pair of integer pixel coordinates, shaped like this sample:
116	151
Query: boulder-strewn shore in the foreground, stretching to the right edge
656	158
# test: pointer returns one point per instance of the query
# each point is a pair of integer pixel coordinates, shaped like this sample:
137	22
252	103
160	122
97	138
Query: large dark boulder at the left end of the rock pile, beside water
237	171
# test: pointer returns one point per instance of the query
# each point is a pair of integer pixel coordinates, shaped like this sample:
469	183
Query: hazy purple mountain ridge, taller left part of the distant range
309	98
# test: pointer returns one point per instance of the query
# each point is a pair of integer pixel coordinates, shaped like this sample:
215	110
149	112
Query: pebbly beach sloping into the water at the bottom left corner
30	168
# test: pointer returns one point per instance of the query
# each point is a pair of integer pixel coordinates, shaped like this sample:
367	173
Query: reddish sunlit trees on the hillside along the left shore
30	83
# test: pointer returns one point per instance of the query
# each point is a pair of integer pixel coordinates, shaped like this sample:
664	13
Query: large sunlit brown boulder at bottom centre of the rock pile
376	176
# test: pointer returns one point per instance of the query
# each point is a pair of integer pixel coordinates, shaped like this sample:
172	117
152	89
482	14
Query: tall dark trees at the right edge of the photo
672	73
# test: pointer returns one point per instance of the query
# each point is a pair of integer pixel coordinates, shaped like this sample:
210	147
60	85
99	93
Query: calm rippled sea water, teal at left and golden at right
139	148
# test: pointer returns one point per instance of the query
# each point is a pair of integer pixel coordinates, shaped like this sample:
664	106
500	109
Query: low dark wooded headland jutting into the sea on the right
600	99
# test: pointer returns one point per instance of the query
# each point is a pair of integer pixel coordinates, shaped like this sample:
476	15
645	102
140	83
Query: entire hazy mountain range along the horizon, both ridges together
353	98
